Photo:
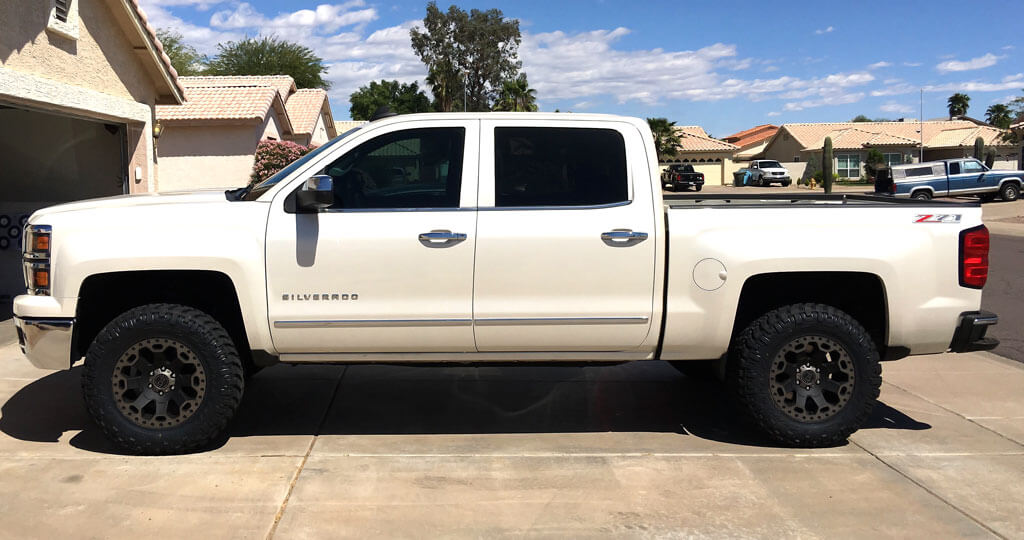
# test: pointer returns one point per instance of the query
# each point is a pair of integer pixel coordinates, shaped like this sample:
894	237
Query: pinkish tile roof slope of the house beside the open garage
214	103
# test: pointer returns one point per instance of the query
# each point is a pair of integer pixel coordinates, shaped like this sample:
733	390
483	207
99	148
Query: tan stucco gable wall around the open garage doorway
98	76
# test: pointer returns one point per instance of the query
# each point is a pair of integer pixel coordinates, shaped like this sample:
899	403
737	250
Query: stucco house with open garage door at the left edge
78	85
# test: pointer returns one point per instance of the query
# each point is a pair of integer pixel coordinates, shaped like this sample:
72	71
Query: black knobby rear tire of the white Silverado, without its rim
760	347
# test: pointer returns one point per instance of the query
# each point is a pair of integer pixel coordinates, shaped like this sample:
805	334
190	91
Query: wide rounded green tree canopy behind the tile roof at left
270	56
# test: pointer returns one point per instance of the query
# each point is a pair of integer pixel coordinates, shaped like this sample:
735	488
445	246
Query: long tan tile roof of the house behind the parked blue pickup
944	134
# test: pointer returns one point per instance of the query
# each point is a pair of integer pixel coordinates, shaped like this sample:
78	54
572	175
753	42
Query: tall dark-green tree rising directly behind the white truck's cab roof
467	55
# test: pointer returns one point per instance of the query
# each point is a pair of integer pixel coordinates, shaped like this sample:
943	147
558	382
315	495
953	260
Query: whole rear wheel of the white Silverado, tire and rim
808	375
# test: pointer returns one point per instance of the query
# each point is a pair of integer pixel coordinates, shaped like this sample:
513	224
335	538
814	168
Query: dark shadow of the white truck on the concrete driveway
646	397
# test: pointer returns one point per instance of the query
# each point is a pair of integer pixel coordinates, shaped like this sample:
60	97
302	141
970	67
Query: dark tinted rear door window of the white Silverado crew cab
536	167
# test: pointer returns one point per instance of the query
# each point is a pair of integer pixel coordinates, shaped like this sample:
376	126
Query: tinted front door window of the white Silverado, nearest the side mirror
415	169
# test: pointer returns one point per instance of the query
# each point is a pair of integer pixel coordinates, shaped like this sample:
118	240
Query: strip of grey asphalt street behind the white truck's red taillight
1004	295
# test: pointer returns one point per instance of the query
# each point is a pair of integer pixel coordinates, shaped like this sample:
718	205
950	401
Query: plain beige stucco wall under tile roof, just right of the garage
205	157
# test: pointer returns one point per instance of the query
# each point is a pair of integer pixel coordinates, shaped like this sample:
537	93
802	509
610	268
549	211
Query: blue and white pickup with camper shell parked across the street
966	177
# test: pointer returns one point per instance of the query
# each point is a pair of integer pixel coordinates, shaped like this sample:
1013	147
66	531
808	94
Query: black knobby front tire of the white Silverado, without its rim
208	345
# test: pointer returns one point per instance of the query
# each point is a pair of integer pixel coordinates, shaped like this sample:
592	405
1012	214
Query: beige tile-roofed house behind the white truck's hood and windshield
210	141
